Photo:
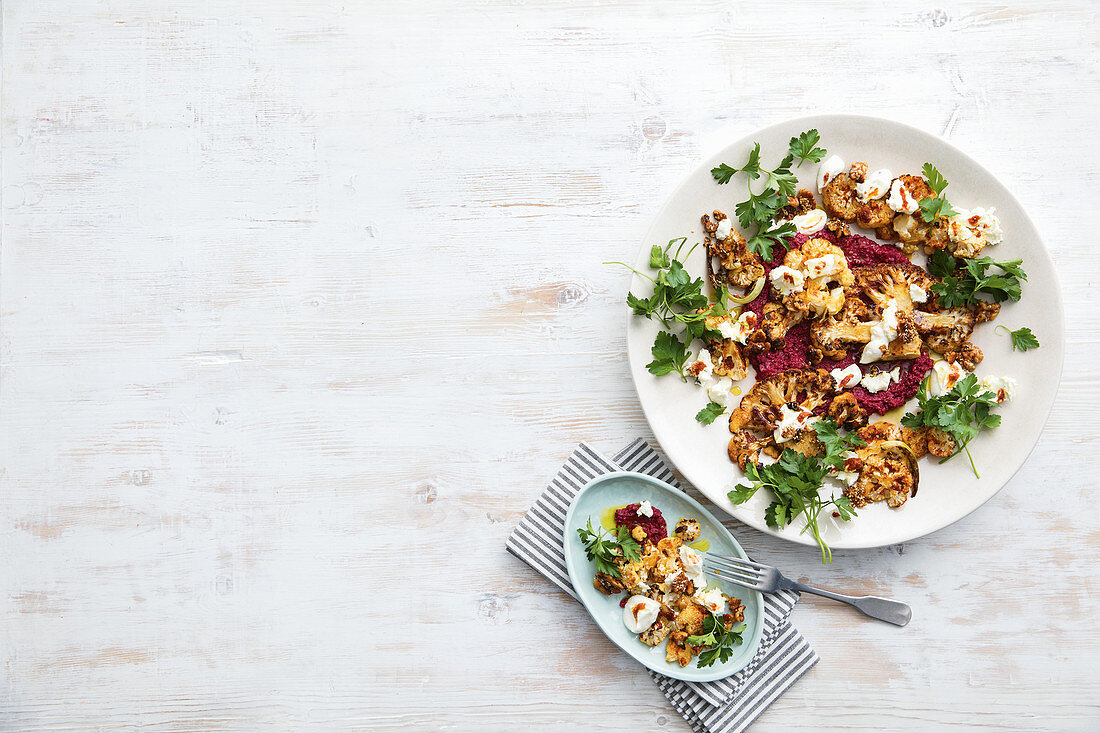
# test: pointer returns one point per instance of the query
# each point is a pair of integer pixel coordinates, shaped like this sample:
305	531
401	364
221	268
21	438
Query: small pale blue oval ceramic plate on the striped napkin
628	488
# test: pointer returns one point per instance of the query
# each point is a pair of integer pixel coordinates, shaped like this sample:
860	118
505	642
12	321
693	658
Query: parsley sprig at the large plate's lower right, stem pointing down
964	412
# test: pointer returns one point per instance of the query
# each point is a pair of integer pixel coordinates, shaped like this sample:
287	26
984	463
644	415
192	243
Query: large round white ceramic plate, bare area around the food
949	491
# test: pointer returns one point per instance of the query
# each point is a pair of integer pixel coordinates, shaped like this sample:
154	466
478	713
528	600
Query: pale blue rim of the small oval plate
722	673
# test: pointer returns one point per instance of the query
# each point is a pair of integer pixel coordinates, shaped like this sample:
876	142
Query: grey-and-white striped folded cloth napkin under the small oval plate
724	706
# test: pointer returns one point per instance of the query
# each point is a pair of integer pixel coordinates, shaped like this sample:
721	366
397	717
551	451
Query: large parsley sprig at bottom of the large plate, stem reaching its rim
796	482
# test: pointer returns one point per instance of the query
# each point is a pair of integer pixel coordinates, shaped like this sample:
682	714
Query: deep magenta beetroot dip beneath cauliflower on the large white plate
861	253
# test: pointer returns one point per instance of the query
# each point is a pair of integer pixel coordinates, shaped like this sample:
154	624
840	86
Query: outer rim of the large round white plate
813	122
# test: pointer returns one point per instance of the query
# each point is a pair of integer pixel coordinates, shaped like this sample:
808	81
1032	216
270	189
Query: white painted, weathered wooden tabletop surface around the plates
302	303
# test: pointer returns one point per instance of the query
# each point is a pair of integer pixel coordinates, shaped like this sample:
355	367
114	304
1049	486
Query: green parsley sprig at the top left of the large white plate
761	209
